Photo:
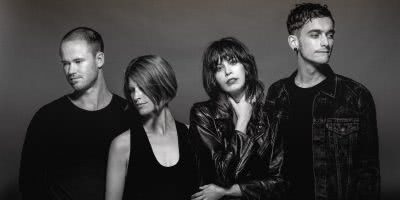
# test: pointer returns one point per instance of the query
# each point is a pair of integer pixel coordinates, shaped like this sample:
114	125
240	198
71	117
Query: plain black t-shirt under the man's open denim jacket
299	141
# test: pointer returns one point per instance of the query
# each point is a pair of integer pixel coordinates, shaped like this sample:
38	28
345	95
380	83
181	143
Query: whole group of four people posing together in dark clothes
314	135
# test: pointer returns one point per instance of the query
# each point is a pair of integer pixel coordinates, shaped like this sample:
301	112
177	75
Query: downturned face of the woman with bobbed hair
141	101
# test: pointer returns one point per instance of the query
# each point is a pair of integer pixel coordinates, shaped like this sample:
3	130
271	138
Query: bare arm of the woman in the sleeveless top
117	166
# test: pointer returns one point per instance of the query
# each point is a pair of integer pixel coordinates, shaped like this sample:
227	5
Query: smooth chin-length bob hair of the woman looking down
156	78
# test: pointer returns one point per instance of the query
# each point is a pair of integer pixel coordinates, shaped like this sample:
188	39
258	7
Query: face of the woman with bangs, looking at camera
231	77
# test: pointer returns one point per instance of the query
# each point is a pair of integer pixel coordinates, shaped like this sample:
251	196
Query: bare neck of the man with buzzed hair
94	98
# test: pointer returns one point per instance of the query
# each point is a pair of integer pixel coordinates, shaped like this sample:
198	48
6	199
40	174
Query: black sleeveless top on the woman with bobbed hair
147	179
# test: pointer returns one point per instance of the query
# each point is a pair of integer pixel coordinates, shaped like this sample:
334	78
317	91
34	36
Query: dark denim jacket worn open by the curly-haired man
344	136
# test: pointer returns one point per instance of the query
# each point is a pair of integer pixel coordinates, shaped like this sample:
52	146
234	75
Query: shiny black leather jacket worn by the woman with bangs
227	157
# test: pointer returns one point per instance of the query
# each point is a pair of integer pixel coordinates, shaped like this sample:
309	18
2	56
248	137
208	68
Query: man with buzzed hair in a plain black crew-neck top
66	146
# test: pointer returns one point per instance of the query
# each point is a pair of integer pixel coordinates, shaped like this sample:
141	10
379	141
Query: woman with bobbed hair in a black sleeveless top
153	159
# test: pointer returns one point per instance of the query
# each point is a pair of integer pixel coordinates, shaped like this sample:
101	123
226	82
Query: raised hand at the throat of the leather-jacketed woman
243	110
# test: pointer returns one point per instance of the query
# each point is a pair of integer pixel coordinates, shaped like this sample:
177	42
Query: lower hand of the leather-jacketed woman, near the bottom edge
209	192
